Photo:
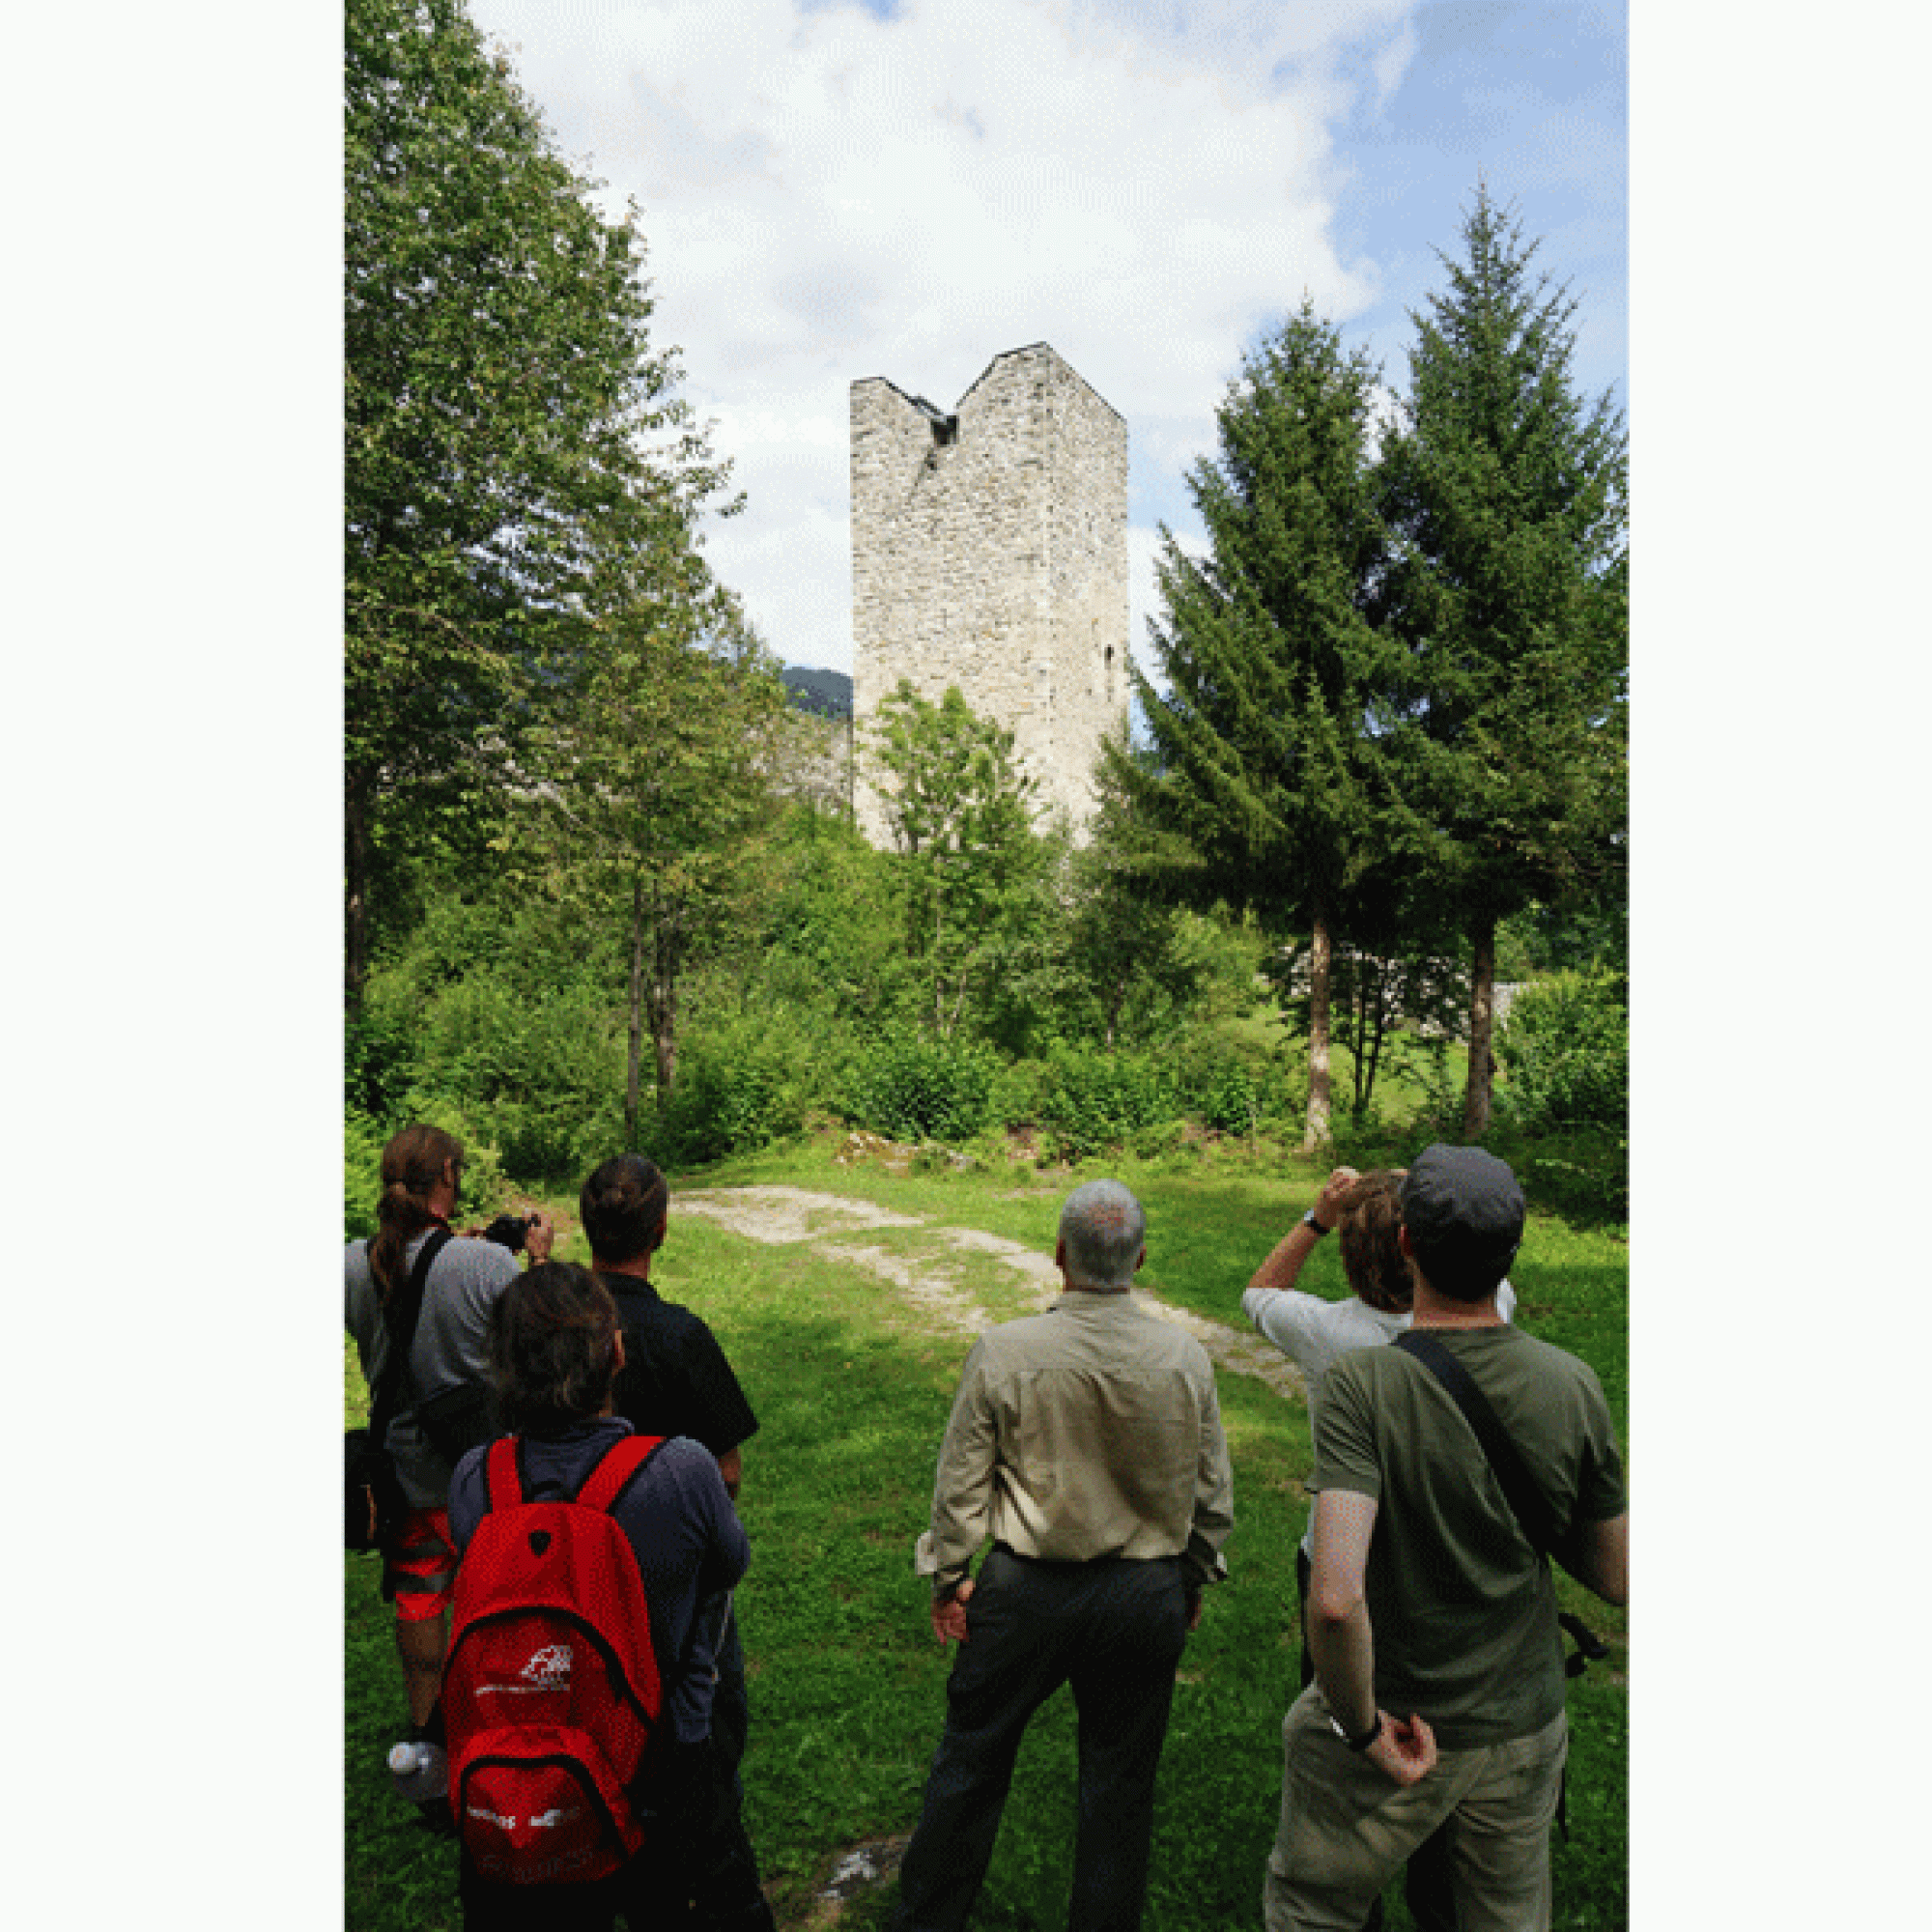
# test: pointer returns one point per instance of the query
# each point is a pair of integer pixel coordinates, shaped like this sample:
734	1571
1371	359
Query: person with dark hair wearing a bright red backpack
577	1697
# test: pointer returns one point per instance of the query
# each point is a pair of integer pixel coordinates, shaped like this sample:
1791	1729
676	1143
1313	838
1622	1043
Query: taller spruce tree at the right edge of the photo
1510	600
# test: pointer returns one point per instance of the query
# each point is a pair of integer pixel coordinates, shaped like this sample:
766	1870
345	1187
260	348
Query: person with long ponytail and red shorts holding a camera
447	1375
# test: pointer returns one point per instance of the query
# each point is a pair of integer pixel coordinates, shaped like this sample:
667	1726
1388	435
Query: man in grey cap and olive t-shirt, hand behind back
1433	1616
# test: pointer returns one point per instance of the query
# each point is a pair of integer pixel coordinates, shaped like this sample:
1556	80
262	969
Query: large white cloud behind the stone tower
830	196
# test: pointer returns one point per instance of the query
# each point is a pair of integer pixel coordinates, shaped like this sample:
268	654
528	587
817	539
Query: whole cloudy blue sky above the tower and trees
836	190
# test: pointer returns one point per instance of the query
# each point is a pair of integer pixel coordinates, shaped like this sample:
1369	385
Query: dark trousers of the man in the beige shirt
1114	1632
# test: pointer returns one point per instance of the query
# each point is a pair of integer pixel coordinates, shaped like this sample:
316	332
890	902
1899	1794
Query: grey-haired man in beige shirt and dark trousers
1087	1442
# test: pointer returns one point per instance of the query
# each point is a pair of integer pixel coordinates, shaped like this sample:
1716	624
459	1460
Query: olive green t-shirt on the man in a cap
1463	1610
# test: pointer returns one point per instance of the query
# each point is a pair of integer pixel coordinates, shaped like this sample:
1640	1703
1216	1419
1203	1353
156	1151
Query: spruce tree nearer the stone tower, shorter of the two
1264	756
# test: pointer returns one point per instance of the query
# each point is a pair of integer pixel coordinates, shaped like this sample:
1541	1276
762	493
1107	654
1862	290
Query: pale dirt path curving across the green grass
830	1224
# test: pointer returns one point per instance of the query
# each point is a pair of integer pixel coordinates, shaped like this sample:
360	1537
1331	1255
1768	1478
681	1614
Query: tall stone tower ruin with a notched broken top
990	552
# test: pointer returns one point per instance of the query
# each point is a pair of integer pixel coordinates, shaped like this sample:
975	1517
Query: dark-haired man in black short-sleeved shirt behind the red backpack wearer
677	1382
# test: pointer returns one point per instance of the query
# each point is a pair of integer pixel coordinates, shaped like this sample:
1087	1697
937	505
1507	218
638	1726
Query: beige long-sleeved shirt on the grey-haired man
1091	1431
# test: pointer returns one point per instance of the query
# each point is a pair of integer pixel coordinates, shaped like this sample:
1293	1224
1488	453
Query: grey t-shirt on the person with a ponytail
465	1280
